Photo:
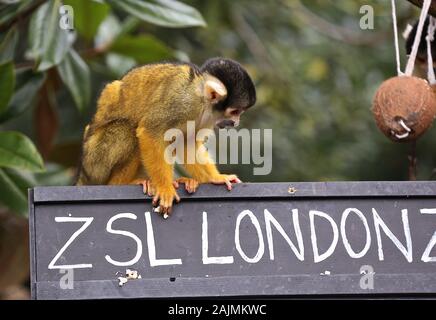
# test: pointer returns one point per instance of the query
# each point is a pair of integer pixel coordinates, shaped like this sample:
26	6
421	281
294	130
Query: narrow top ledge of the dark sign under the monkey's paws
245	191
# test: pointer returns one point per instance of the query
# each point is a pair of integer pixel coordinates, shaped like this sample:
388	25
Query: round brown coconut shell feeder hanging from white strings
404	106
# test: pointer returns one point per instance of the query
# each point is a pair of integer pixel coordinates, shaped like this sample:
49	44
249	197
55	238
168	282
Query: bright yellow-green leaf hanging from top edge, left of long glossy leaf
88	15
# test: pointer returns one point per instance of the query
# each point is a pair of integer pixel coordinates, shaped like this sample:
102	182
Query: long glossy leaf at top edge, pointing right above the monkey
167	13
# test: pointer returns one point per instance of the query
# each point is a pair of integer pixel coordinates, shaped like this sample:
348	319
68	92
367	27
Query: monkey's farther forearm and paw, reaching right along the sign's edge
206	171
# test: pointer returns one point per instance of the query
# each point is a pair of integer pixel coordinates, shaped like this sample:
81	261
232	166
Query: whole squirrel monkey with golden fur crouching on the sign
126	135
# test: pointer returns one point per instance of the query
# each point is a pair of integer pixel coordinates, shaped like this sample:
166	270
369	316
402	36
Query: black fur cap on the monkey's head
241	92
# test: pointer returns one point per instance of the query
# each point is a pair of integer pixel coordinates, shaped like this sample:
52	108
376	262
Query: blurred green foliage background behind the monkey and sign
315	70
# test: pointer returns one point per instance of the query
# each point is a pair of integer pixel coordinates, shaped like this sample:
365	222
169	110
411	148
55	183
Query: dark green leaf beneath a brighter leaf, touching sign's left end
13	189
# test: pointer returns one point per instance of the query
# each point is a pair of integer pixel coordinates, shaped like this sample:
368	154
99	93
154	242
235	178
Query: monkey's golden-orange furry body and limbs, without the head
125	137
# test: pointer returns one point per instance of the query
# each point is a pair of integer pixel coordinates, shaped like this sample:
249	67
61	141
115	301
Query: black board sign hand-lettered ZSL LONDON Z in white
273	239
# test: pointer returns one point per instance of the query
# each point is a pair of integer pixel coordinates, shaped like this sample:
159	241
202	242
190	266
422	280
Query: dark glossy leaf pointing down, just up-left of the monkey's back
75	73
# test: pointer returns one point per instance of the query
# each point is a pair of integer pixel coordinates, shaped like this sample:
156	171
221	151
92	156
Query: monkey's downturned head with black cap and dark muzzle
239	93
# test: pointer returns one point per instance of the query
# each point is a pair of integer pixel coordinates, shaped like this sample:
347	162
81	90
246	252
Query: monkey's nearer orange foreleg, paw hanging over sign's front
160	172
